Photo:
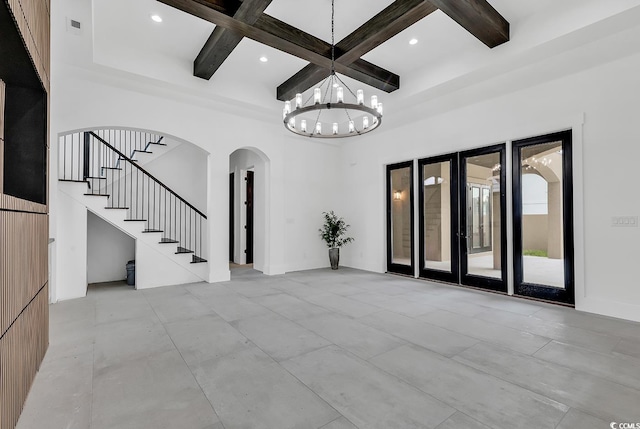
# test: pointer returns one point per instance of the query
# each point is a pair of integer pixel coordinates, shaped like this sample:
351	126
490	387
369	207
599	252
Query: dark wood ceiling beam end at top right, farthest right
479	18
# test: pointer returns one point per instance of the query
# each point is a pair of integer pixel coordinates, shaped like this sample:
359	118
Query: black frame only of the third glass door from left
466	279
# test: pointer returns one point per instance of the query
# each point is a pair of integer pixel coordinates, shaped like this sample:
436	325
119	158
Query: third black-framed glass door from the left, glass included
482	241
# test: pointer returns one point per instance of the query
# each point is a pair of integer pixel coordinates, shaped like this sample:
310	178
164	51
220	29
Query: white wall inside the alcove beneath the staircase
108	251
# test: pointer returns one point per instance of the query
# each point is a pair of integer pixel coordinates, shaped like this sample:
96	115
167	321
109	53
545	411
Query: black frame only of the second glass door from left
454	275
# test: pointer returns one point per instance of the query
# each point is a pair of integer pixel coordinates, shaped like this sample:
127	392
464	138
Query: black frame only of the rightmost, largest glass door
566	295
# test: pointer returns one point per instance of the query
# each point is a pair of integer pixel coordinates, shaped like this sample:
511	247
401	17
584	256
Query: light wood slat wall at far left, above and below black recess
24	232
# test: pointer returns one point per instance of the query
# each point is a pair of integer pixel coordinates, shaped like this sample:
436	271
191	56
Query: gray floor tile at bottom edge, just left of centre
249	390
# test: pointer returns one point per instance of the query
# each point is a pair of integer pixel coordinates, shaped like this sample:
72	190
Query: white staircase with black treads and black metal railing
106	177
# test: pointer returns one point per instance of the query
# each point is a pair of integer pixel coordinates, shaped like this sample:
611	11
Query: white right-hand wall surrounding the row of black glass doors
599	104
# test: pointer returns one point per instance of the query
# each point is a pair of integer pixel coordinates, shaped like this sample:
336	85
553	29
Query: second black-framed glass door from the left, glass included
439	218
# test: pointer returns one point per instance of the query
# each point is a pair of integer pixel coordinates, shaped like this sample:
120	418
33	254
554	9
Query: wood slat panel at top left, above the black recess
33	20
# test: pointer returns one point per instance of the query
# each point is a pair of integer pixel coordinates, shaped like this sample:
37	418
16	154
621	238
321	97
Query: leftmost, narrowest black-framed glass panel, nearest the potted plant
400	218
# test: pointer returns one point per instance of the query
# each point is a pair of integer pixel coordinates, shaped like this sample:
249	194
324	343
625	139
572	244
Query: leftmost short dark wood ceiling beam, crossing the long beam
222	41
